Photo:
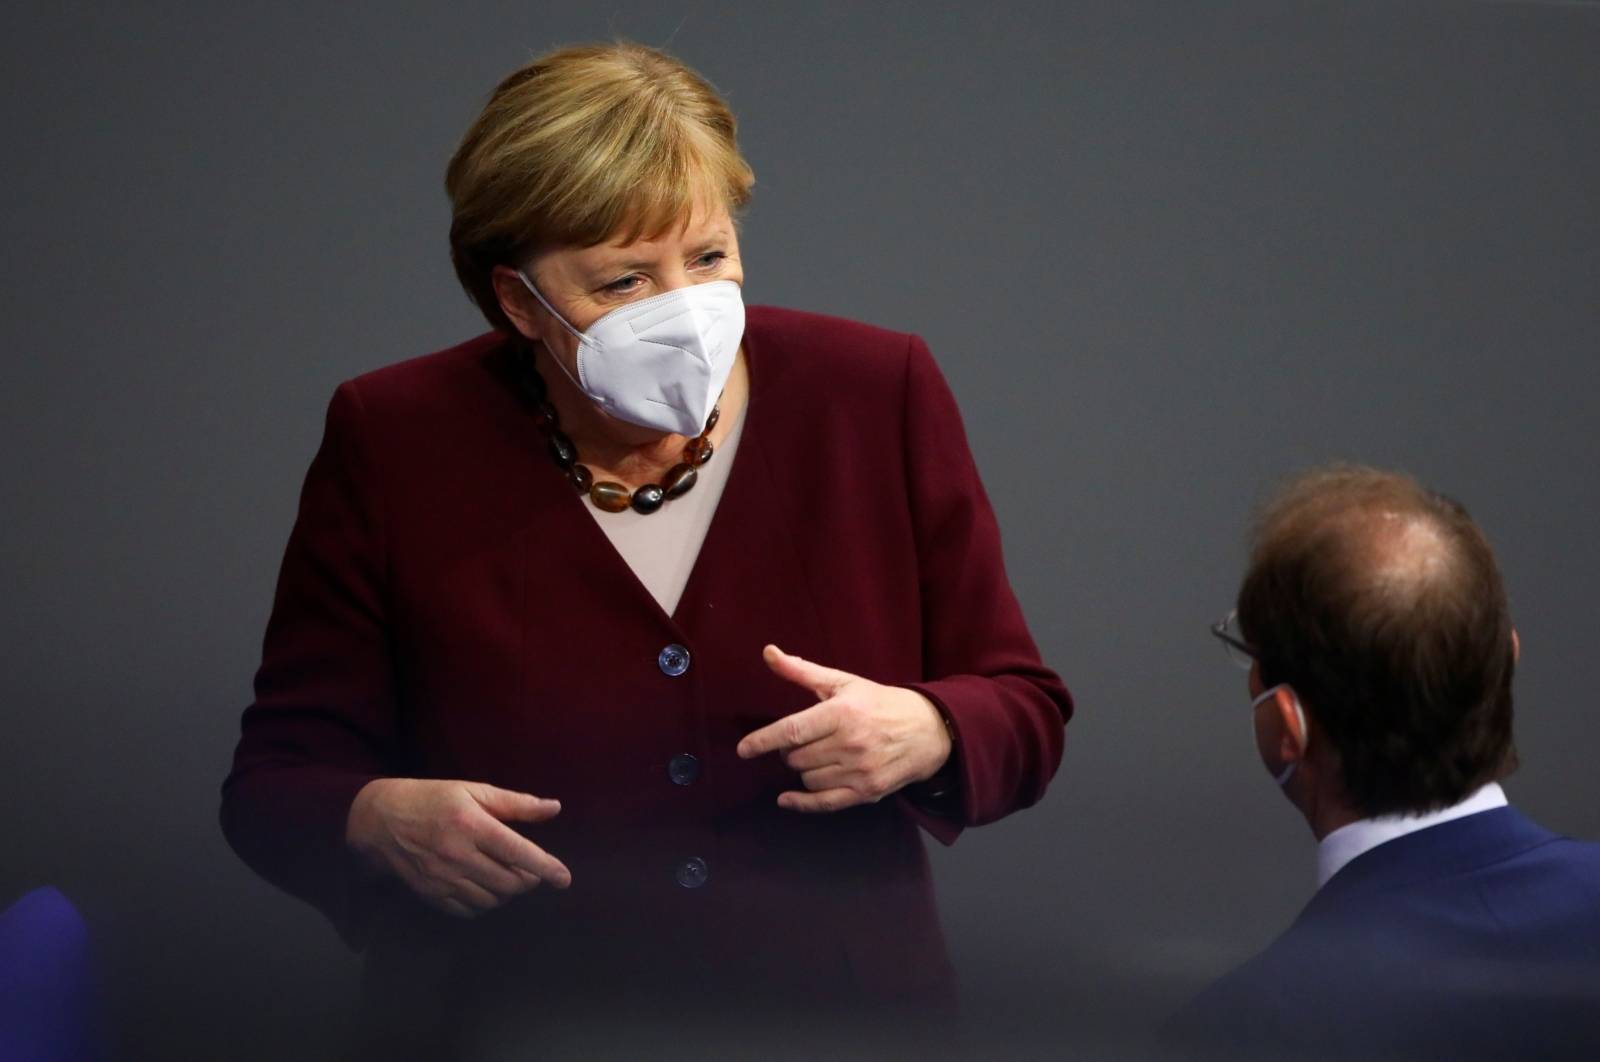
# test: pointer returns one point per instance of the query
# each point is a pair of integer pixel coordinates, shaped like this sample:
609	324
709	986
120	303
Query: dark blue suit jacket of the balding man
1473	940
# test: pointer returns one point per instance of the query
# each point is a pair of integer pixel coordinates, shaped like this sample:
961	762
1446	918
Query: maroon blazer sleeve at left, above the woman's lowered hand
324	719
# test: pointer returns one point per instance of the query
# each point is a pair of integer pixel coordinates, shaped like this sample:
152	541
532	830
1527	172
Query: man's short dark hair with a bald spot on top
1380	602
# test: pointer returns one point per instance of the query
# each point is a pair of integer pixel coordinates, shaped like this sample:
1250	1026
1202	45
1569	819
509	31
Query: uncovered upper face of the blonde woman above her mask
586	284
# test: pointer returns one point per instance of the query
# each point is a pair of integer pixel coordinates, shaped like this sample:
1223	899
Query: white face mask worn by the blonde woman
660	362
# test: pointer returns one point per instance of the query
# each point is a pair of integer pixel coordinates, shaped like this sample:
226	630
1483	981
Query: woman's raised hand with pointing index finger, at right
858	746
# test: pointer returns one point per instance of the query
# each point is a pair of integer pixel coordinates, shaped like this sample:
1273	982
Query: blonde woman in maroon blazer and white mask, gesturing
622	655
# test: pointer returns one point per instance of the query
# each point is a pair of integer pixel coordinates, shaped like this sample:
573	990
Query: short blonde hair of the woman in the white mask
582	146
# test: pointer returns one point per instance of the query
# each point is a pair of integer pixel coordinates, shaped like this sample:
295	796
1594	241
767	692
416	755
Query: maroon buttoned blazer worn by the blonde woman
447	609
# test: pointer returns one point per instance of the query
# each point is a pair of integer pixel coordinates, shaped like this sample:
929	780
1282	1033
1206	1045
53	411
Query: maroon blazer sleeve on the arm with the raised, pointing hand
1007	711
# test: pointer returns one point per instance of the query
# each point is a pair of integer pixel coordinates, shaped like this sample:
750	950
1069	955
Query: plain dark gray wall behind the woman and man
1166	255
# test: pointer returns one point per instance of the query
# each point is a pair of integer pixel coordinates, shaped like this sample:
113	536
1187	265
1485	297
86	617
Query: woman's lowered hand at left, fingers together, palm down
450	844
